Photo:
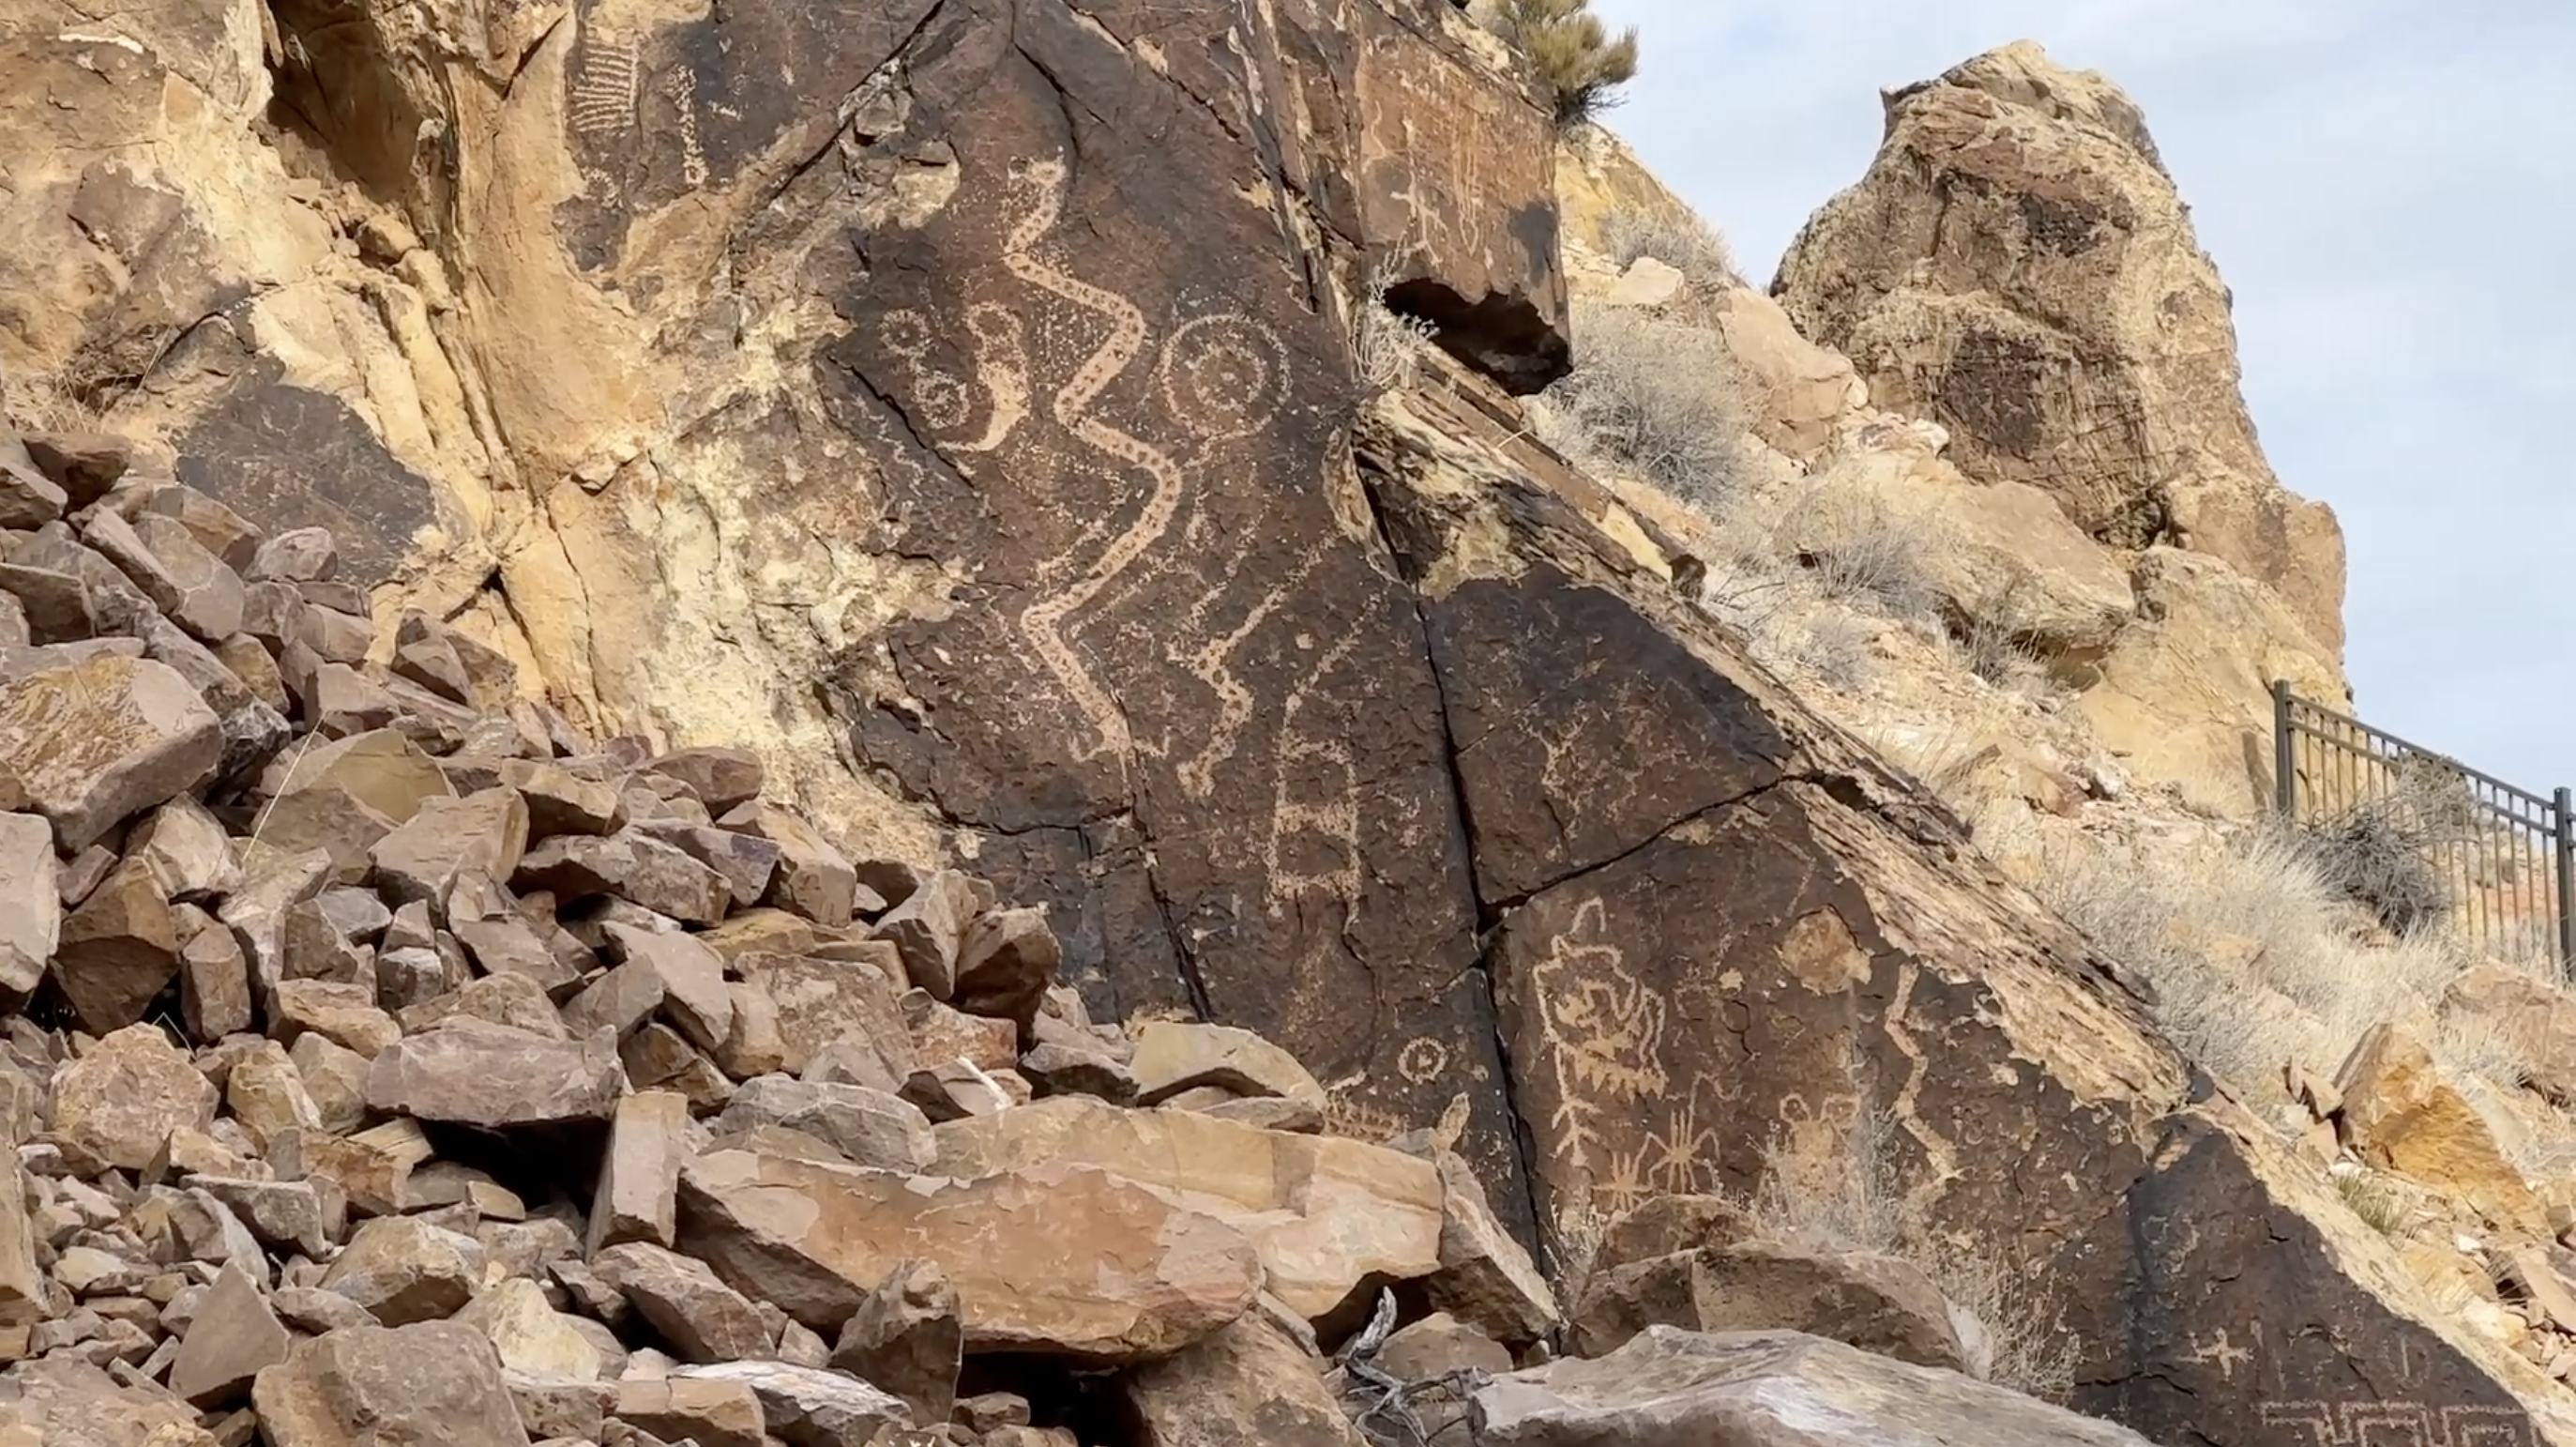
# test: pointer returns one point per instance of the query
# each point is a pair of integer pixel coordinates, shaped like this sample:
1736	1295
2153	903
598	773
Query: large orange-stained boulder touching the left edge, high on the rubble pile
104	738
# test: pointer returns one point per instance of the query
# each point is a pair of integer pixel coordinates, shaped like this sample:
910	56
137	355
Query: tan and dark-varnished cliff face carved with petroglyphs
957	403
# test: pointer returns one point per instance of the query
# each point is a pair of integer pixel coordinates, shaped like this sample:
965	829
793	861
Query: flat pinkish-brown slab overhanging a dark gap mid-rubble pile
491	1078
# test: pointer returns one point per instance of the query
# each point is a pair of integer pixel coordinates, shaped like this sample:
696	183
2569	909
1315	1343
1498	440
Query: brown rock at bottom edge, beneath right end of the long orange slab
1245	1386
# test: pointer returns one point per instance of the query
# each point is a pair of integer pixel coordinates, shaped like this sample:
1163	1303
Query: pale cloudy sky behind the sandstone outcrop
2392	194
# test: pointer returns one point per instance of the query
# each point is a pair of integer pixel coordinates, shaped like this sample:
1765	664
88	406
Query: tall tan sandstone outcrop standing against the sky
2021	269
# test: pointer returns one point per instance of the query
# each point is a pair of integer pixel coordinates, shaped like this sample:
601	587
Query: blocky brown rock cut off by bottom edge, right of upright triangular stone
429	1384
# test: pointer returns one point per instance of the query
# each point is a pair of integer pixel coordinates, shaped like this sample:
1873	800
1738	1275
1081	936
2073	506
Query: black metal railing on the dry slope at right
2505	856
